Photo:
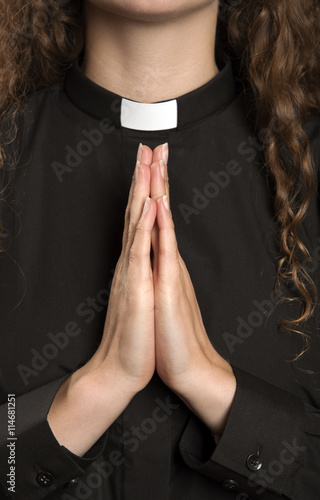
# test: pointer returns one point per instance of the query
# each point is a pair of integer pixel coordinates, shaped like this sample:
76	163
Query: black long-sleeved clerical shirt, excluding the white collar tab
63	210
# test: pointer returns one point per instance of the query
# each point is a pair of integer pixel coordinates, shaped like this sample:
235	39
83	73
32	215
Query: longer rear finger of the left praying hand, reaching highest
140	189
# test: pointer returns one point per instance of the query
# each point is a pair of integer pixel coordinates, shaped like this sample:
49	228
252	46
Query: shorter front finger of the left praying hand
139	254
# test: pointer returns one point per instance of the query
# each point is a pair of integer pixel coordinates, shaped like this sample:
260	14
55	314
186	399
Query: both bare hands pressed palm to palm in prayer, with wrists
153	322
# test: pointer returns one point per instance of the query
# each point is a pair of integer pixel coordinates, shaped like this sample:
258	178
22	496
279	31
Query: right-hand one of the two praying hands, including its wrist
186	360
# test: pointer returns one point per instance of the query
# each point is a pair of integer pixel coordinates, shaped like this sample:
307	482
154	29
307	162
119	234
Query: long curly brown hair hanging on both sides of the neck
275	46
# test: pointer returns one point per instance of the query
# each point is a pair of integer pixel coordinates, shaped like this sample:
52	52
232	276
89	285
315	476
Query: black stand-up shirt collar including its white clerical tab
177	113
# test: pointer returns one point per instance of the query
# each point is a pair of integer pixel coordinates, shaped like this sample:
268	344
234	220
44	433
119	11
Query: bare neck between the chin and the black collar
150	61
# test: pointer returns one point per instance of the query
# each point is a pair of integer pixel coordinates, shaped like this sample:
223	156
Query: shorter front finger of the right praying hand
167	260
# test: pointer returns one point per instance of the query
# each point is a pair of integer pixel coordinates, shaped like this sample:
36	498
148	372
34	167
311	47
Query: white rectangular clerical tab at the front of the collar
149	116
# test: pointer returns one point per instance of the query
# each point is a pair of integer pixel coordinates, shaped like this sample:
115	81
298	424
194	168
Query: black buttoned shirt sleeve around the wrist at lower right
270	446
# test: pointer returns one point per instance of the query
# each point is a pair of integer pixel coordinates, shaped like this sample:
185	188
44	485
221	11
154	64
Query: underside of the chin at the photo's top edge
150	10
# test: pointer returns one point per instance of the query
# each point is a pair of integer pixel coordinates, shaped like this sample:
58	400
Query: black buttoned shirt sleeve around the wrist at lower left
41	464
